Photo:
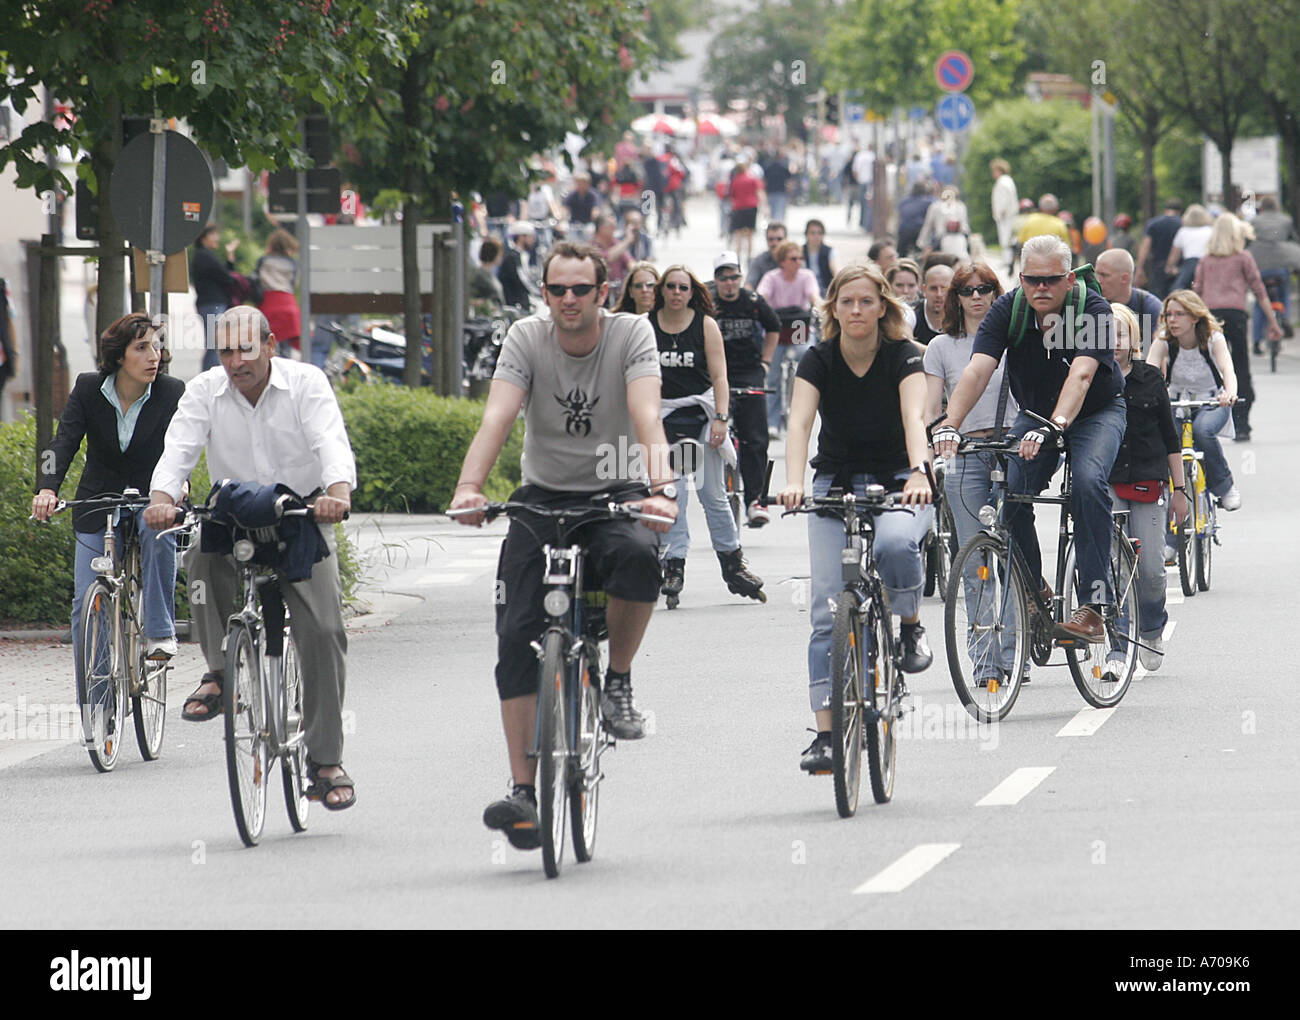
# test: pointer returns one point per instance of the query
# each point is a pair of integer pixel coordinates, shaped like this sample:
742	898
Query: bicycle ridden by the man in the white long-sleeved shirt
263	689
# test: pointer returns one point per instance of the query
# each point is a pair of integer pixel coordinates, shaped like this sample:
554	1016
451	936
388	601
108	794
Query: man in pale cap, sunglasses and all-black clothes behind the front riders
751	331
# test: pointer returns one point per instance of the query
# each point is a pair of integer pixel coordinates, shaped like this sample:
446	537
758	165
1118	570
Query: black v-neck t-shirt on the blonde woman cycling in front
861	416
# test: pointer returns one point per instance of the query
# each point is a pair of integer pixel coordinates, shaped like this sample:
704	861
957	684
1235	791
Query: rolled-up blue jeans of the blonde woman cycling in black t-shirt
899	541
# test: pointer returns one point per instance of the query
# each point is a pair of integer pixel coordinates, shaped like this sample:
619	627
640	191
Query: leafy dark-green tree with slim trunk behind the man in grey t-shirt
487	86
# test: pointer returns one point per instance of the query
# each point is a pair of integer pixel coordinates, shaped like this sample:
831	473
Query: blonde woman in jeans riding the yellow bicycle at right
1189	325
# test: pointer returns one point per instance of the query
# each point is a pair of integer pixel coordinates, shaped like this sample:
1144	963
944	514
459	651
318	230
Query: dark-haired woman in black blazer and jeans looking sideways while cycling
123	413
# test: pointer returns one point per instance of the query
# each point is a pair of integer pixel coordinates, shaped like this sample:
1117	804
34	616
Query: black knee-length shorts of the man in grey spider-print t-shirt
623	554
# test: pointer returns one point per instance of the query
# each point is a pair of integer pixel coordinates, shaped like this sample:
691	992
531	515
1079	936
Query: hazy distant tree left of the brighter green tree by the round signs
769	58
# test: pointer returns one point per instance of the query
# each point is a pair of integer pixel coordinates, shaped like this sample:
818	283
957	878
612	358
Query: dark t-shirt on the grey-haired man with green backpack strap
1038	370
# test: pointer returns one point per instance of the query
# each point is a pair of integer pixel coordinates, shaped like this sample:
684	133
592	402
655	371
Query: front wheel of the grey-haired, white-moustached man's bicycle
987	628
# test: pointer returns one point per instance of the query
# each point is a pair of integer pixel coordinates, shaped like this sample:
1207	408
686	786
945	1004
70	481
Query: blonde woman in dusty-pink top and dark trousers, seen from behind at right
1224	276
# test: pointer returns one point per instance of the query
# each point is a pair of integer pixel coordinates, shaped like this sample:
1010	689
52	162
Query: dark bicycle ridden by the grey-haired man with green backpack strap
996	619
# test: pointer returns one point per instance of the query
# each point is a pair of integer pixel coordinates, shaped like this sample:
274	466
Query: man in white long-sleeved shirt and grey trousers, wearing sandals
268	420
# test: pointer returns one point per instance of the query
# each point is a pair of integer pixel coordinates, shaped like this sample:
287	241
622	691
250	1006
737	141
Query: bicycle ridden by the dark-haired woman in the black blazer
114	666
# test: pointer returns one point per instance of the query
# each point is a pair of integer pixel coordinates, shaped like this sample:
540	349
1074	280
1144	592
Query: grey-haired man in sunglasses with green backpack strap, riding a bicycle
1064	370
